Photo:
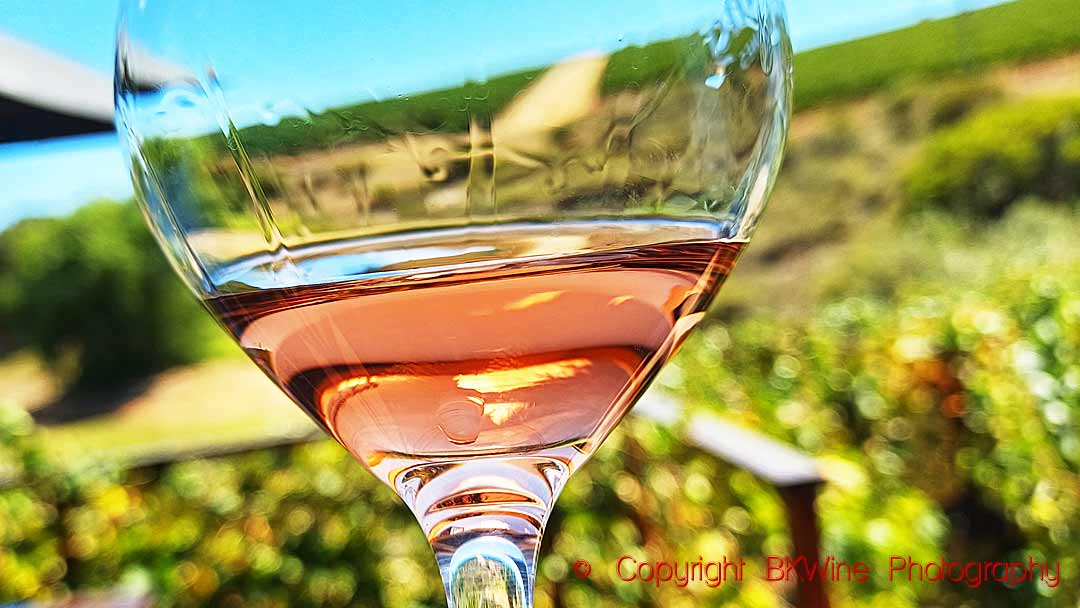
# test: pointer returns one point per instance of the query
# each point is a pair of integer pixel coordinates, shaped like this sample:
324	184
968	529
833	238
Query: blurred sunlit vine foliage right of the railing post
962	403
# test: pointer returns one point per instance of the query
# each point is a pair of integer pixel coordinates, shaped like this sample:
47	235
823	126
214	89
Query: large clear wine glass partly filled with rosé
462	236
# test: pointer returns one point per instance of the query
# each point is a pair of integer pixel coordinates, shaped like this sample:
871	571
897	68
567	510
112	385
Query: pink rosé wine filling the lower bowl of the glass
474	370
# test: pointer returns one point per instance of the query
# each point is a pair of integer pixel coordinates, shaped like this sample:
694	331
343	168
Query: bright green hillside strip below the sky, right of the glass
1016	32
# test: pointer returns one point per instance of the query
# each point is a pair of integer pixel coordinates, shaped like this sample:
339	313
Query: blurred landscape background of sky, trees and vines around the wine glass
909	315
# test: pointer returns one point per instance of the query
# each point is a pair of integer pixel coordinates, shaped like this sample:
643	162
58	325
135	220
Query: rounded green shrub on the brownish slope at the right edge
983	165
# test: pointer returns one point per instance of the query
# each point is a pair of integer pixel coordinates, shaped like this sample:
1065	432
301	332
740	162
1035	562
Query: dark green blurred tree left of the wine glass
93	295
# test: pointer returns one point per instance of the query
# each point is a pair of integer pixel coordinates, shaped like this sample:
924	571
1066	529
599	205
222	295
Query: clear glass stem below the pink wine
484	519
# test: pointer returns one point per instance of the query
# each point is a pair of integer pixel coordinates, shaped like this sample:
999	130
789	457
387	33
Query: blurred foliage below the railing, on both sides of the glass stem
305	526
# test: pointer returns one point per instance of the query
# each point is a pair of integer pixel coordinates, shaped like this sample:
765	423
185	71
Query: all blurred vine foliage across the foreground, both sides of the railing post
940	411
